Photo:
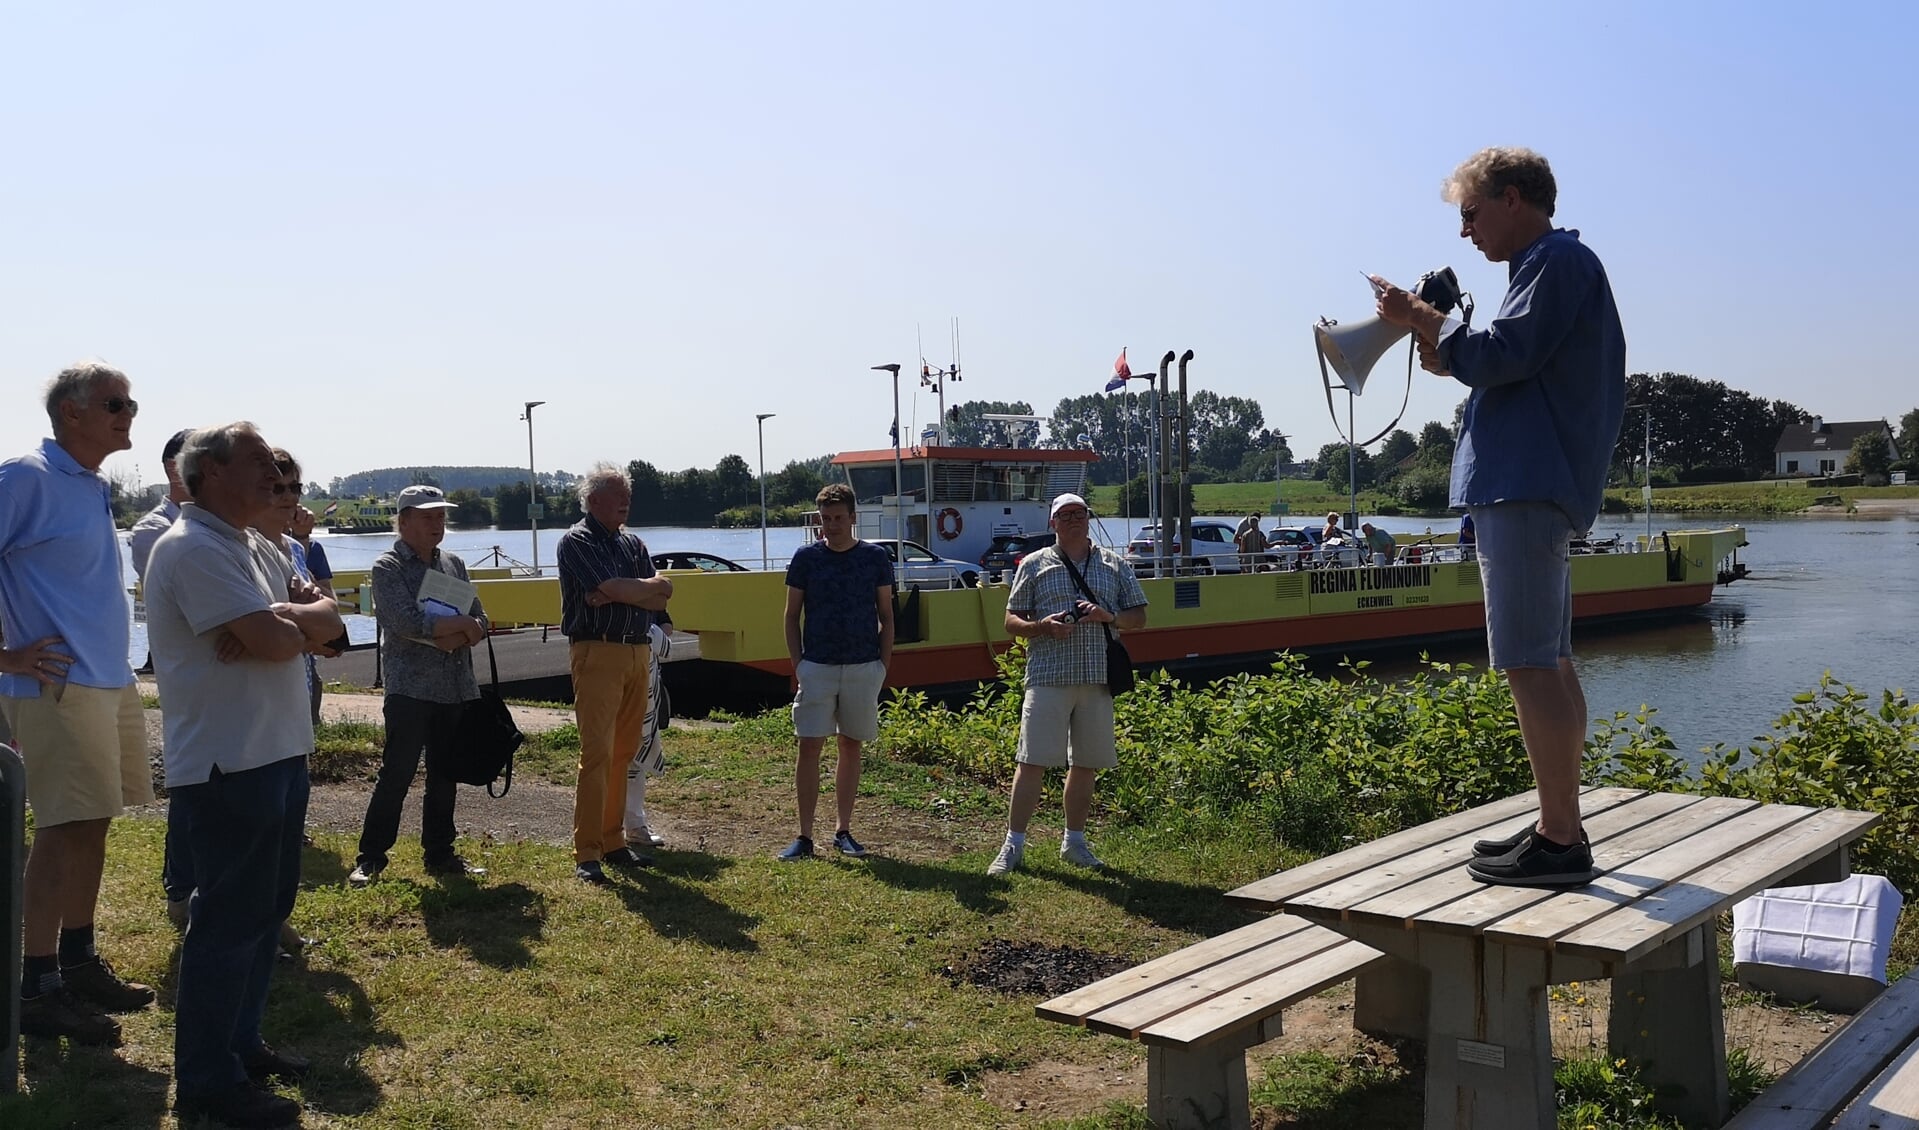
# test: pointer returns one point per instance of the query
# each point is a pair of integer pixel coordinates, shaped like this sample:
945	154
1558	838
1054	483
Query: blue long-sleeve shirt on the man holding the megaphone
1548	381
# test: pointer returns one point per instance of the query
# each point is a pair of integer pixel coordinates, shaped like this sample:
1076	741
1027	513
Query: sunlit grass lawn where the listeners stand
713	991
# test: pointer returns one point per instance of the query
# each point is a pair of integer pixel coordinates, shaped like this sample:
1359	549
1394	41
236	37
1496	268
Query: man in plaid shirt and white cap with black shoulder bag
1068	713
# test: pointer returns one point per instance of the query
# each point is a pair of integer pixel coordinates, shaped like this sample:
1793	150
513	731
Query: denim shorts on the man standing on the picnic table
1527	573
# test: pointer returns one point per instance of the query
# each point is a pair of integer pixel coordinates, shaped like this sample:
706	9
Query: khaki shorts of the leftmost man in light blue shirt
85	753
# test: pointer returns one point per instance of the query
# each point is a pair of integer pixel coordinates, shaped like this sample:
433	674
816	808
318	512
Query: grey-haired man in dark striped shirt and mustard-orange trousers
609	594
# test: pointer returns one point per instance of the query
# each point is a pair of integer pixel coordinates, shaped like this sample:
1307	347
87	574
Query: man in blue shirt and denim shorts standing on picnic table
1548	381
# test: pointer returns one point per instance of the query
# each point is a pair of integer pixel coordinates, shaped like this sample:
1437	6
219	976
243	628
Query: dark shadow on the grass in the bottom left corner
83	1087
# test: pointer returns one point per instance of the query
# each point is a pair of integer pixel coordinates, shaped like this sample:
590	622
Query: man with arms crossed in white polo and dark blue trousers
227	655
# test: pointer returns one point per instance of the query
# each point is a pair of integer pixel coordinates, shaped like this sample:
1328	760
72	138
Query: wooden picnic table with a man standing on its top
1475	960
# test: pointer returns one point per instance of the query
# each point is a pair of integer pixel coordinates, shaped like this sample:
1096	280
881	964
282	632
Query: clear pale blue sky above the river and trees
379	229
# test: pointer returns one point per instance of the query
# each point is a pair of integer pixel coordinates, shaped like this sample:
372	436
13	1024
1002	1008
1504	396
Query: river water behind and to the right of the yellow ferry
1826	596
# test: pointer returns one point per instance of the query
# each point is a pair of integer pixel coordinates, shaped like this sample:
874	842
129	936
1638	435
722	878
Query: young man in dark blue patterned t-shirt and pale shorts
840	634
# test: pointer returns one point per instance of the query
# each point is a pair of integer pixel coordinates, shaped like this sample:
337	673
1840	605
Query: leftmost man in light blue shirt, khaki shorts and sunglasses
68	694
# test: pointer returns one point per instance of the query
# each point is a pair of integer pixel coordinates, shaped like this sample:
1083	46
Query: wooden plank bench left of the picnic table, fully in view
1200	1008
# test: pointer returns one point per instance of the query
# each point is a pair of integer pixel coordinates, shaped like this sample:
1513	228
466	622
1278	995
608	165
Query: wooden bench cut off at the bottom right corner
1853	1068
